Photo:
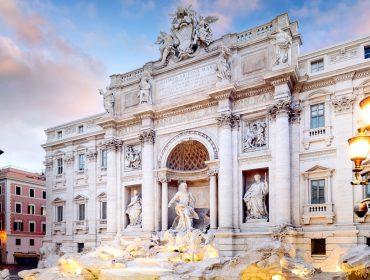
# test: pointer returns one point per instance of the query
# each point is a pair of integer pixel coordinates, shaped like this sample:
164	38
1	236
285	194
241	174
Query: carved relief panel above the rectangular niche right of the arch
255	135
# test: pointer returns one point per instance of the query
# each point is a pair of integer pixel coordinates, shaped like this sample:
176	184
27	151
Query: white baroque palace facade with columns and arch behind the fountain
256	130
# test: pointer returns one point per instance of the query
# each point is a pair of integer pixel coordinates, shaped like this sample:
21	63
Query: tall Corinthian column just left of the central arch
147	139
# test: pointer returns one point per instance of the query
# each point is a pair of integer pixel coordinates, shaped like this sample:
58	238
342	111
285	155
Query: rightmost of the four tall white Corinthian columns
280	111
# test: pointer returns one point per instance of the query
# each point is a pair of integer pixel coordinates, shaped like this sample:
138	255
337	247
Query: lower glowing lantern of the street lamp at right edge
359	149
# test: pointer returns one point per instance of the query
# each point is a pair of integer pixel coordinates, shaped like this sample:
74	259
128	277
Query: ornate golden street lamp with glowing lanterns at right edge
359	147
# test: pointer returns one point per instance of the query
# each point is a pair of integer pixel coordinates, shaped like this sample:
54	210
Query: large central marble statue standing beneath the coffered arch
184	208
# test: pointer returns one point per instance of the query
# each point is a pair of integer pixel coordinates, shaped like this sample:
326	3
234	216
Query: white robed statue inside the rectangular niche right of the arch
254	199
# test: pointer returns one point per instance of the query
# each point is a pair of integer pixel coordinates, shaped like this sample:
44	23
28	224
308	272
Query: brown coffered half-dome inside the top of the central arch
188	156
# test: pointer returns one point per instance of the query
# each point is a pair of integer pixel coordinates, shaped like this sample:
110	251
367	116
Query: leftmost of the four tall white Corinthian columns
112	145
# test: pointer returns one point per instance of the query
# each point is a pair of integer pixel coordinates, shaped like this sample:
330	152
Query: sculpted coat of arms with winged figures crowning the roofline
189	32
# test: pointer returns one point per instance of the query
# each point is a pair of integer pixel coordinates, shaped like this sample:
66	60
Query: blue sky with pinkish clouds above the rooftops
54	55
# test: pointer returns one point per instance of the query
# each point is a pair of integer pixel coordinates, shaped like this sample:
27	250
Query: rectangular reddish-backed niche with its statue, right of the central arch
256	195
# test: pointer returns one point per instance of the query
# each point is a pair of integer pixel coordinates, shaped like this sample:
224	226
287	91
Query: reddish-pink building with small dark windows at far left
22	215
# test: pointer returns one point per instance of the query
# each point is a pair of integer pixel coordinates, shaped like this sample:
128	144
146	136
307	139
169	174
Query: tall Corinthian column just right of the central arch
225	177
